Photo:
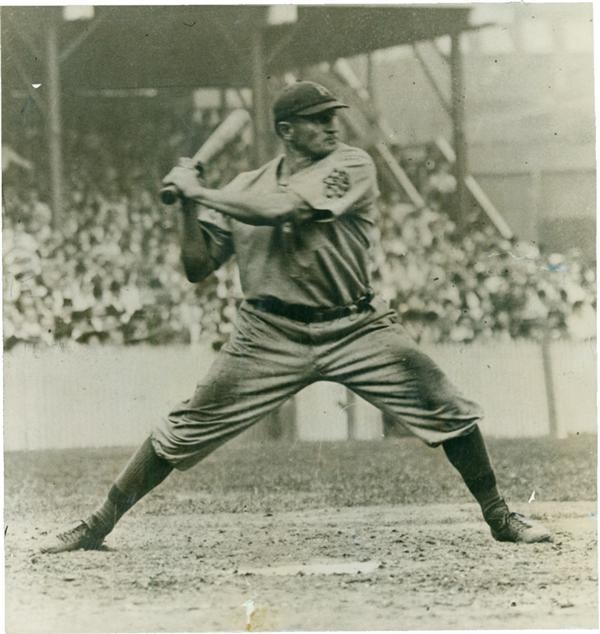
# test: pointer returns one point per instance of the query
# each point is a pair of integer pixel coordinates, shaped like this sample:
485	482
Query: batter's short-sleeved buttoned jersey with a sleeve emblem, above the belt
321	262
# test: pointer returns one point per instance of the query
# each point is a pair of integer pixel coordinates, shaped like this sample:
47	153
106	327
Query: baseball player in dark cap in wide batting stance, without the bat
300	227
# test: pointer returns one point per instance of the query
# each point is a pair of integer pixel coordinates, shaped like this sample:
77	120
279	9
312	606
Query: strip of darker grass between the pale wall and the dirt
278	476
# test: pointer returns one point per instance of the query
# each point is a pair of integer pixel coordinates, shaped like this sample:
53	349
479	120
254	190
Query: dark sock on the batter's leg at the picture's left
141	474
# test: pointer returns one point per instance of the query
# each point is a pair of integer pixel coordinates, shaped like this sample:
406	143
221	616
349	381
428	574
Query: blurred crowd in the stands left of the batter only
108	271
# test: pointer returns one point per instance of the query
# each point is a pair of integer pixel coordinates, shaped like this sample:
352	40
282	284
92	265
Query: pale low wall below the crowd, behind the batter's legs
104	396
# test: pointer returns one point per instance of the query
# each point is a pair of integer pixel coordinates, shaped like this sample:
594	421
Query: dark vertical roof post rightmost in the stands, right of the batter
458	128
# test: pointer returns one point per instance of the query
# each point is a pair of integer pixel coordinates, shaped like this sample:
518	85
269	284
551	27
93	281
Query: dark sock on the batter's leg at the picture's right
469	456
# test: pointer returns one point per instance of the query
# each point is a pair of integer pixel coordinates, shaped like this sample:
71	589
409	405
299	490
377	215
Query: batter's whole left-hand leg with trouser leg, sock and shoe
258	370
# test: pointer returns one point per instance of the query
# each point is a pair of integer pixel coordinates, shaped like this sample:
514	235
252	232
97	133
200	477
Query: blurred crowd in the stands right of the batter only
453	288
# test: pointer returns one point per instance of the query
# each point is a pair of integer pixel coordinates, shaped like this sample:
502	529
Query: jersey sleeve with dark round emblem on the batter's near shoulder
343	183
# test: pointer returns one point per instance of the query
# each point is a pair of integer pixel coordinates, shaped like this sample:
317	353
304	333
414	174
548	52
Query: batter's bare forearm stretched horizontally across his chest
253	209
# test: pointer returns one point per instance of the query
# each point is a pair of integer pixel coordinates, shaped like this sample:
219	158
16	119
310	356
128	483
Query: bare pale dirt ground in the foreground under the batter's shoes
437	568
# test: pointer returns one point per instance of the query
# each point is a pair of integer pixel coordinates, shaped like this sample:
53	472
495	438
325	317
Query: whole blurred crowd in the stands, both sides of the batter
109	271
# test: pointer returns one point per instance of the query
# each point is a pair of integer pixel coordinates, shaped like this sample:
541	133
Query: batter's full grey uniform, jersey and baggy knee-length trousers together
284	340
